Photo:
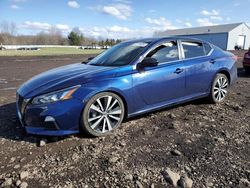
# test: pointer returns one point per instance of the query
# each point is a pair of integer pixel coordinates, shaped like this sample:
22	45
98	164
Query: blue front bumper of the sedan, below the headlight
54	119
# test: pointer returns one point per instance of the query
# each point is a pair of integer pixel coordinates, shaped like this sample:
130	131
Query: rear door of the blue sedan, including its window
199	66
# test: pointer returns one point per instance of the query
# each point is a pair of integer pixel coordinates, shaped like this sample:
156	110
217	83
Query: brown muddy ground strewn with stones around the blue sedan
210	144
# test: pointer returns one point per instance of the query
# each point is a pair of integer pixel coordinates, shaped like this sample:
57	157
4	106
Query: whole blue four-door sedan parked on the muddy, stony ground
129	79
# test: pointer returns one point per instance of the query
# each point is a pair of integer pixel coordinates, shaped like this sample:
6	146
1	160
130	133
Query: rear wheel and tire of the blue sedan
219	89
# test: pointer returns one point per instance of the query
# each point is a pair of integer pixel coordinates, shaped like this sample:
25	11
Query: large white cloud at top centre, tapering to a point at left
119	11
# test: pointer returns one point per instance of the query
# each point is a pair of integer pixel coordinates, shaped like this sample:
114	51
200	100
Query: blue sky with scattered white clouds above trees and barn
120	18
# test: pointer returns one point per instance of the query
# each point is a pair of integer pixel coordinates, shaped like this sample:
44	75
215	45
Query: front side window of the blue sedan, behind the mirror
165	52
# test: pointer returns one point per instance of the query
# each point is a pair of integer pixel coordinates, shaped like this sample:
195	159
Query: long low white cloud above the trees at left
43	26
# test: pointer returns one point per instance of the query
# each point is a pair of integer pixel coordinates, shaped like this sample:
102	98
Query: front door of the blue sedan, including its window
162	83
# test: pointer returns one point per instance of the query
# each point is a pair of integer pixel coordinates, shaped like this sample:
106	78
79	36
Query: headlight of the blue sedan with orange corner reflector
55	96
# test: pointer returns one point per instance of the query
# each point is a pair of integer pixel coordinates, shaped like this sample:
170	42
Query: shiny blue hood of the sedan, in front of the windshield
63	77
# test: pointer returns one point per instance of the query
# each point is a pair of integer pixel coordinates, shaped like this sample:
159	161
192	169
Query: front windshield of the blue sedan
119	55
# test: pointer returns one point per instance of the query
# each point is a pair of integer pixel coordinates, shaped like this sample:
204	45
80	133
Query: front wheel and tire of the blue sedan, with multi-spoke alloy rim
102	114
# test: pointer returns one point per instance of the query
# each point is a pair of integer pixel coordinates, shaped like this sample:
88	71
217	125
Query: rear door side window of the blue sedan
193	49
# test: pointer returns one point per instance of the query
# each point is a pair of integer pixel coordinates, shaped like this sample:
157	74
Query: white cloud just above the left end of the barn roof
161	23
